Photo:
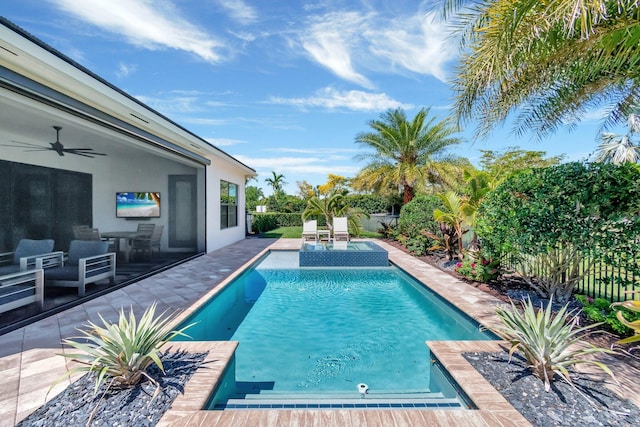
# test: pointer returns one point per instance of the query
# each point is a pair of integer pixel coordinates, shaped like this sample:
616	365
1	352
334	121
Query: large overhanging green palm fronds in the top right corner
547	62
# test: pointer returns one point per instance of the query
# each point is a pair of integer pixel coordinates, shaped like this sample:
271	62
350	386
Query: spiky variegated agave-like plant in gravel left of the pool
122	351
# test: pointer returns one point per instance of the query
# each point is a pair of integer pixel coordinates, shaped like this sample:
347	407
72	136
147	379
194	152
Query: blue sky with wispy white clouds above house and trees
282	85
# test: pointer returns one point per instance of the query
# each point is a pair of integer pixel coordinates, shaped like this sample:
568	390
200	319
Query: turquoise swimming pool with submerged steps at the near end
315	334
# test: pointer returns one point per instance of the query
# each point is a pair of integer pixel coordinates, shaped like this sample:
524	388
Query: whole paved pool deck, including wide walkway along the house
29	363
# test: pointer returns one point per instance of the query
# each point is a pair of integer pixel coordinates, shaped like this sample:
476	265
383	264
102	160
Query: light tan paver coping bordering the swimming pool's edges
492	407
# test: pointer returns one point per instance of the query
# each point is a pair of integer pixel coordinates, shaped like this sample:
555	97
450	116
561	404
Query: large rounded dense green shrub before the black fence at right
555	216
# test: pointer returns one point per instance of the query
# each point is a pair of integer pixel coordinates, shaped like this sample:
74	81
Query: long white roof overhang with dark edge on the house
33	69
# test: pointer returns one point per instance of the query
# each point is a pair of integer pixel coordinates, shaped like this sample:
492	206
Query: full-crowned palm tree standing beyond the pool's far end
407	154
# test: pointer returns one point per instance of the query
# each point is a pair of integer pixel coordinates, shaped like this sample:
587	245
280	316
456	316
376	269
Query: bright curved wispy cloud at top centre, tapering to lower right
330	41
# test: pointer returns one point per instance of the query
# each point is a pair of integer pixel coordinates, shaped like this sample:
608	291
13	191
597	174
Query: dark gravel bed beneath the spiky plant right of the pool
562	405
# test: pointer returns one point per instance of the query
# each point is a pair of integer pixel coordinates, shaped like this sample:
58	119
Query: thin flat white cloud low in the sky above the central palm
352	99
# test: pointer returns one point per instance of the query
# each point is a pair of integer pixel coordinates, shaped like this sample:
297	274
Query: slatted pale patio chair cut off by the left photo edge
21	288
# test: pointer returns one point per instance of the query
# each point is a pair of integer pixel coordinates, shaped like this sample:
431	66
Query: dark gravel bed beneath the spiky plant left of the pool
121	407
